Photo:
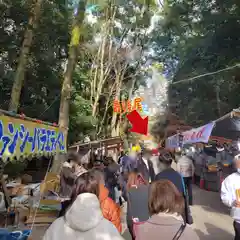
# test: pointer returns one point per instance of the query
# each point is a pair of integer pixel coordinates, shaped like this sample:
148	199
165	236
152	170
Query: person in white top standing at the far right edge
230	195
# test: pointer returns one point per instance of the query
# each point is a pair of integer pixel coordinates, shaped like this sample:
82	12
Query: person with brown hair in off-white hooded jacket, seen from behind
83	218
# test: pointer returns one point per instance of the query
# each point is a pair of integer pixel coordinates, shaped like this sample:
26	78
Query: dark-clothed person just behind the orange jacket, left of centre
112	171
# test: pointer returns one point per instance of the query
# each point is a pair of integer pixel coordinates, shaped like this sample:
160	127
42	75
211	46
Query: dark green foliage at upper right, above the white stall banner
197	38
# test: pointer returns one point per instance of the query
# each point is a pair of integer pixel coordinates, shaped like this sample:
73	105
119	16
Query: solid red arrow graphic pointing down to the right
139	124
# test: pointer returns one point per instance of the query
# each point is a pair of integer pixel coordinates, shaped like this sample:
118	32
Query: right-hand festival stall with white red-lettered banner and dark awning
217	140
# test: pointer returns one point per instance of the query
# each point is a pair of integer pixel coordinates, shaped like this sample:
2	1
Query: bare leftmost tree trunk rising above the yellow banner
22	61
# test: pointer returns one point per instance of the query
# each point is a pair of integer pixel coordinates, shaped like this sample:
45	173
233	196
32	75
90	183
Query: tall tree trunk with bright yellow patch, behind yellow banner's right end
67	80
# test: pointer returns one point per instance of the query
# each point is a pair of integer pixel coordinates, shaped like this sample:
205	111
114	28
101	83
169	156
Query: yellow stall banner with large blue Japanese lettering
24	138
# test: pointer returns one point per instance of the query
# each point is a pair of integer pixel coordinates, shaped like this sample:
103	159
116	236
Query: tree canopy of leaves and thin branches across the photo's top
196	43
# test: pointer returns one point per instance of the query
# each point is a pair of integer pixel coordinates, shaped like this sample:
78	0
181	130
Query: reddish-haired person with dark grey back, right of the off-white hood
136	195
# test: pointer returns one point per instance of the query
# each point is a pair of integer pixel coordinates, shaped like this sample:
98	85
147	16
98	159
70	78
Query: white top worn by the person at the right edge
228	193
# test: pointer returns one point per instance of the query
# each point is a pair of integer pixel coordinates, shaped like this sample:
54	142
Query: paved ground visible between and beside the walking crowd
211	218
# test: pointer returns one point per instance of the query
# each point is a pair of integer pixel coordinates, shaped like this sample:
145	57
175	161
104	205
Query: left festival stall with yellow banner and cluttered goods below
23	139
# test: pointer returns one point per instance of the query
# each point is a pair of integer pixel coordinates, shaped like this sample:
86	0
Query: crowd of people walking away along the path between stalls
157	203
